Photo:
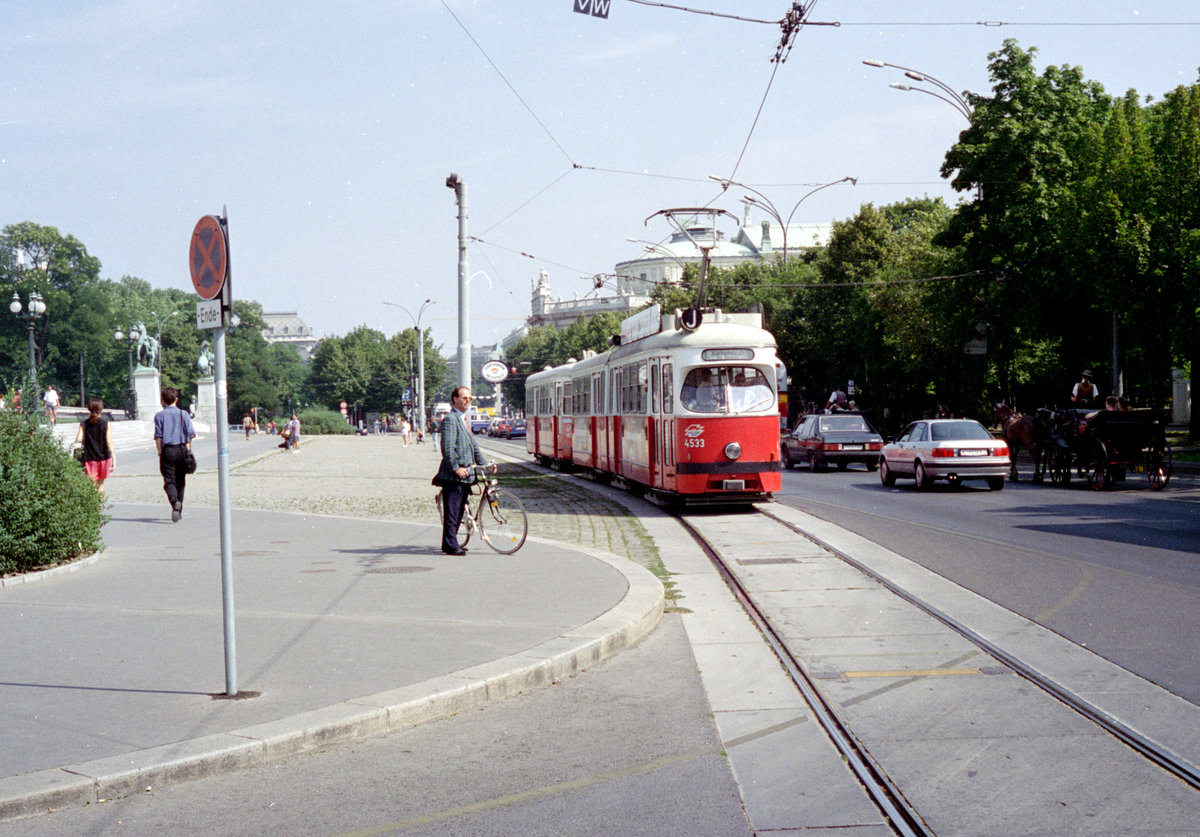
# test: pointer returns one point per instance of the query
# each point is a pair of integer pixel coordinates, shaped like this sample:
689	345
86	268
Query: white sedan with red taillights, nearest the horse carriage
946	449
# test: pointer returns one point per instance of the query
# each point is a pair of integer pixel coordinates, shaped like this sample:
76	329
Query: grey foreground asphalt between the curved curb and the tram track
628	749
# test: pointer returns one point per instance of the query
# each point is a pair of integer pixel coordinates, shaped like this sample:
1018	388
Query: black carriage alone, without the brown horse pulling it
1106	445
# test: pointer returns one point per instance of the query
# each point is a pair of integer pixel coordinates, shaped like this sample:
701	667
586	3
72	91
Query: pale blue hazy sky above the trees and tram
327	130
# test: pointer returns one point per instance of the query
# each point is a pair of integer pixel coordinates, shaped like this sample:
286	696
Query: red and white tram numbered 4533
683	414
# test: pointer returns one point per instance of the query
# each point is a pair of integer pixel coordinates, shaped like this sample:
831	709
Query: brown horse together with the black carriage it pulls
1101	447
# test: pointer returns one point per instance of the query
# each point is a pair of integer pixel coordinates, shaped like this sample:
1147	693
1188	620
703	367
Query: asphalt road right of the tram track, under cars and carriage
1118	573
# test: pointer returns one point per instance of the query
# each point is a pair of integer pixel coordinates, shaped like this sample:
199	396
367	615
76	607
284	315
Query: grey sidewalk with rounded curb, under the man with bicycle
115	672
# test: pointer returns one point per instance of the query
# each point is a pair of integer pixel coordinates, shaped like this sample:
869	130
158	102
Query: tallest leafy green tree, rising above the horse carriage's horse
1023	156
